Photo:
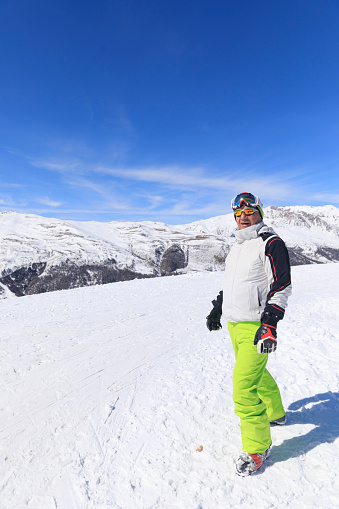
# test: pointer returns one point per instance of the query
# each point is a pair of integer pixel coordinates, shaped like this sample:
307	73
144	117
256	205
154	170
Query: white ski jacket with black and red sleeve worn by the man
258	275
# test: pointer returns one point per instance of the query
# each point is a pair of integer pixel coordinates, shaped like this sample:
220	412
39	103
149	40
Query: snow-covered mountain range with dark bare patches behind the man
39	254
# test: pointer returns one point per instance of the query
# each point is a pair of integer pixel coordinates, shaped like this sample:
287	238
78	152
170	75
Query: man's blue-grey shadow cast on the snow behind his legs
321	411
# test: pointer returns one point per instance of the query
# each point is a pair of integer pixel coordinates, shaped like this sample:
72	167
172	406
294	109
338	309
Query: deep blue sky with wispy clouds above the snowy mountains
163	110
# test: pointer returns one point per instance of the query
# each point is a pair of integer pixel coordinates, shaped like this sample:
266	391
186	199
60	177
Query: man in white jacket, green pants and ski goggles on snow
256	288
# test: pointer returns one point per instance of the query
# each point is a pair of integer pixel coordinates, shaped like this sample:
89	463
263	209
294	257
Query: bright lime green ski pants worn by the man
255	393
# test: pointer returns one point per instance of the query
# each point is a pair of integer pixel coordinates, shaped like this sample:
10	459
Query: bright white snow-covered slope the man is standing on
108	391
